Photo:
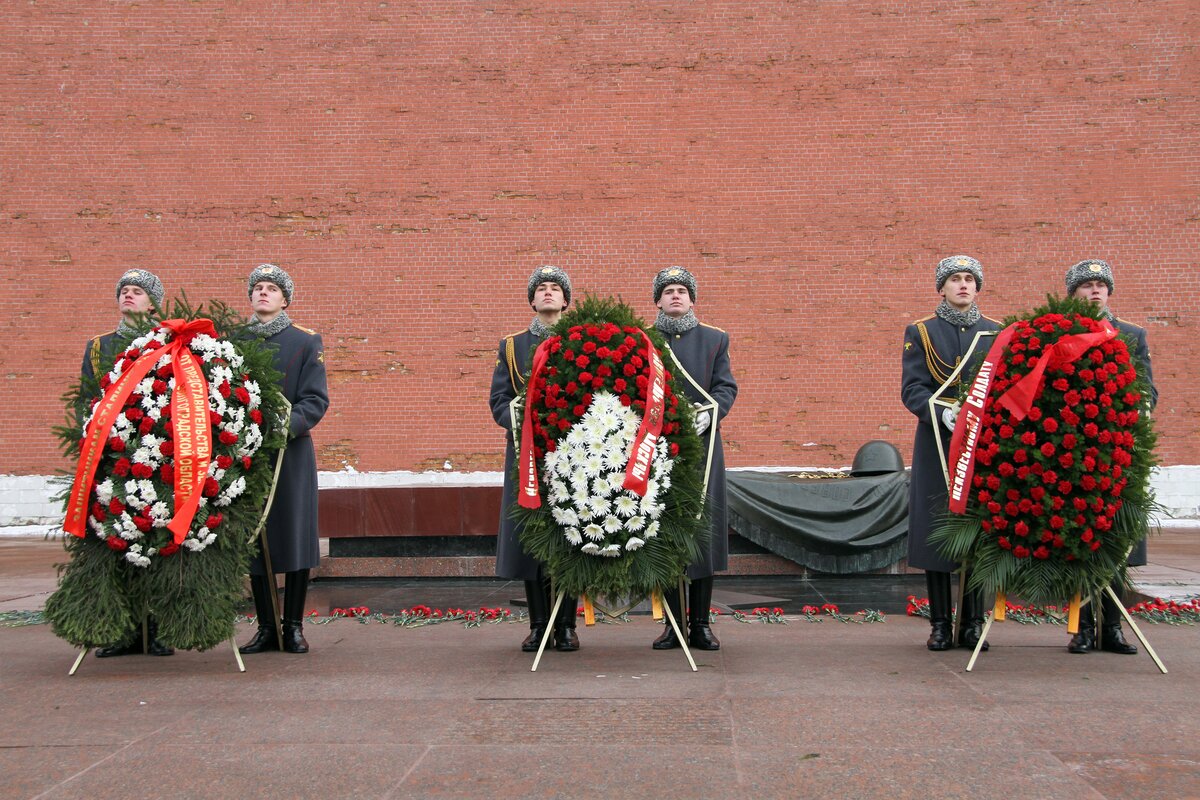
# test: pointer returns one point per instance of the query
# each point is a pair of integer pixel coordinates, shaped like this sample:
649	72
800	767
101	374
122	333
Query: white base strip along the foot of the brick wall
27	504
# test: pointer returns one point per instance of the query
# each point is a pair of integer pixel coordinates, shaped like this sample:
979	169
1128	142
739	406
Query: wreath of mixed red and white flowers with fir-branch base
171	482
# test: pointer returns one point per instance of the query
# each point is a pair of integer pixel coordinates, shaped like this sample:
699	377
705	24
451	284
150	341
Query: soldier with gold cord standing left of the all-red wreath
933	348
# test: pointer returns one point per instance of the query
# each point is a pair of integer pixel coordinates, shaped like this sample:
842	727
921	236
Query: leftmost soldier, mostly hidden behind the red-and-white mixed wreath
139	292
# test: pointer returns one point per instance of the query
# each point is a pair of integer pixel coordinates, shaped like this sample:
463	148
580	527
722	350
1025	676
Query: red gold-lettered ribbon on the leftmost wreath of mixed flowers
190	426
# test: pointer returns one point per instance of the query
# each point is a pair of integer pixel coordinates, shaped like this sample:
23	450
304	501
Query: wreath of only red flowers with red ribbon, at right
1051	459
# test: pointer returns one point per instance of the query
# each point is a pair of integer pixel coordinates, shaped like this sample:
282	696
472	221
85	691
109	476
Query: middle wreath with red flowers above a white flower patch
610	473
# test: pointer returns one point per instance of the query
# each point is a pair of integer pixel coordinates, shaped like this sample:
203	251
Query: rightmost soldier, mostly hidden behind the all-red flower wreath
1093	281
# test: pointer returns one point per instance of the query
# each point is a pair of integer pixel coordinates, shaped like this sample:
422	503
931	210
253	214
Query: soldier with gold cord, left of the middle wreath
549	294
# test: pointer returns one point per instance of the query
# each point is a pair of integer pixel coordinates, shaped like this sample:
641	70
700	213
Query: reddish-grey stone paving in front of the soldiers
823	711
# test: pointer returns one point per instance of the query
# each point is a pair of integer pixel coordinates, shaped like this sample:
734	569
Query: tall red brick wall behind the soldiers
411	163
